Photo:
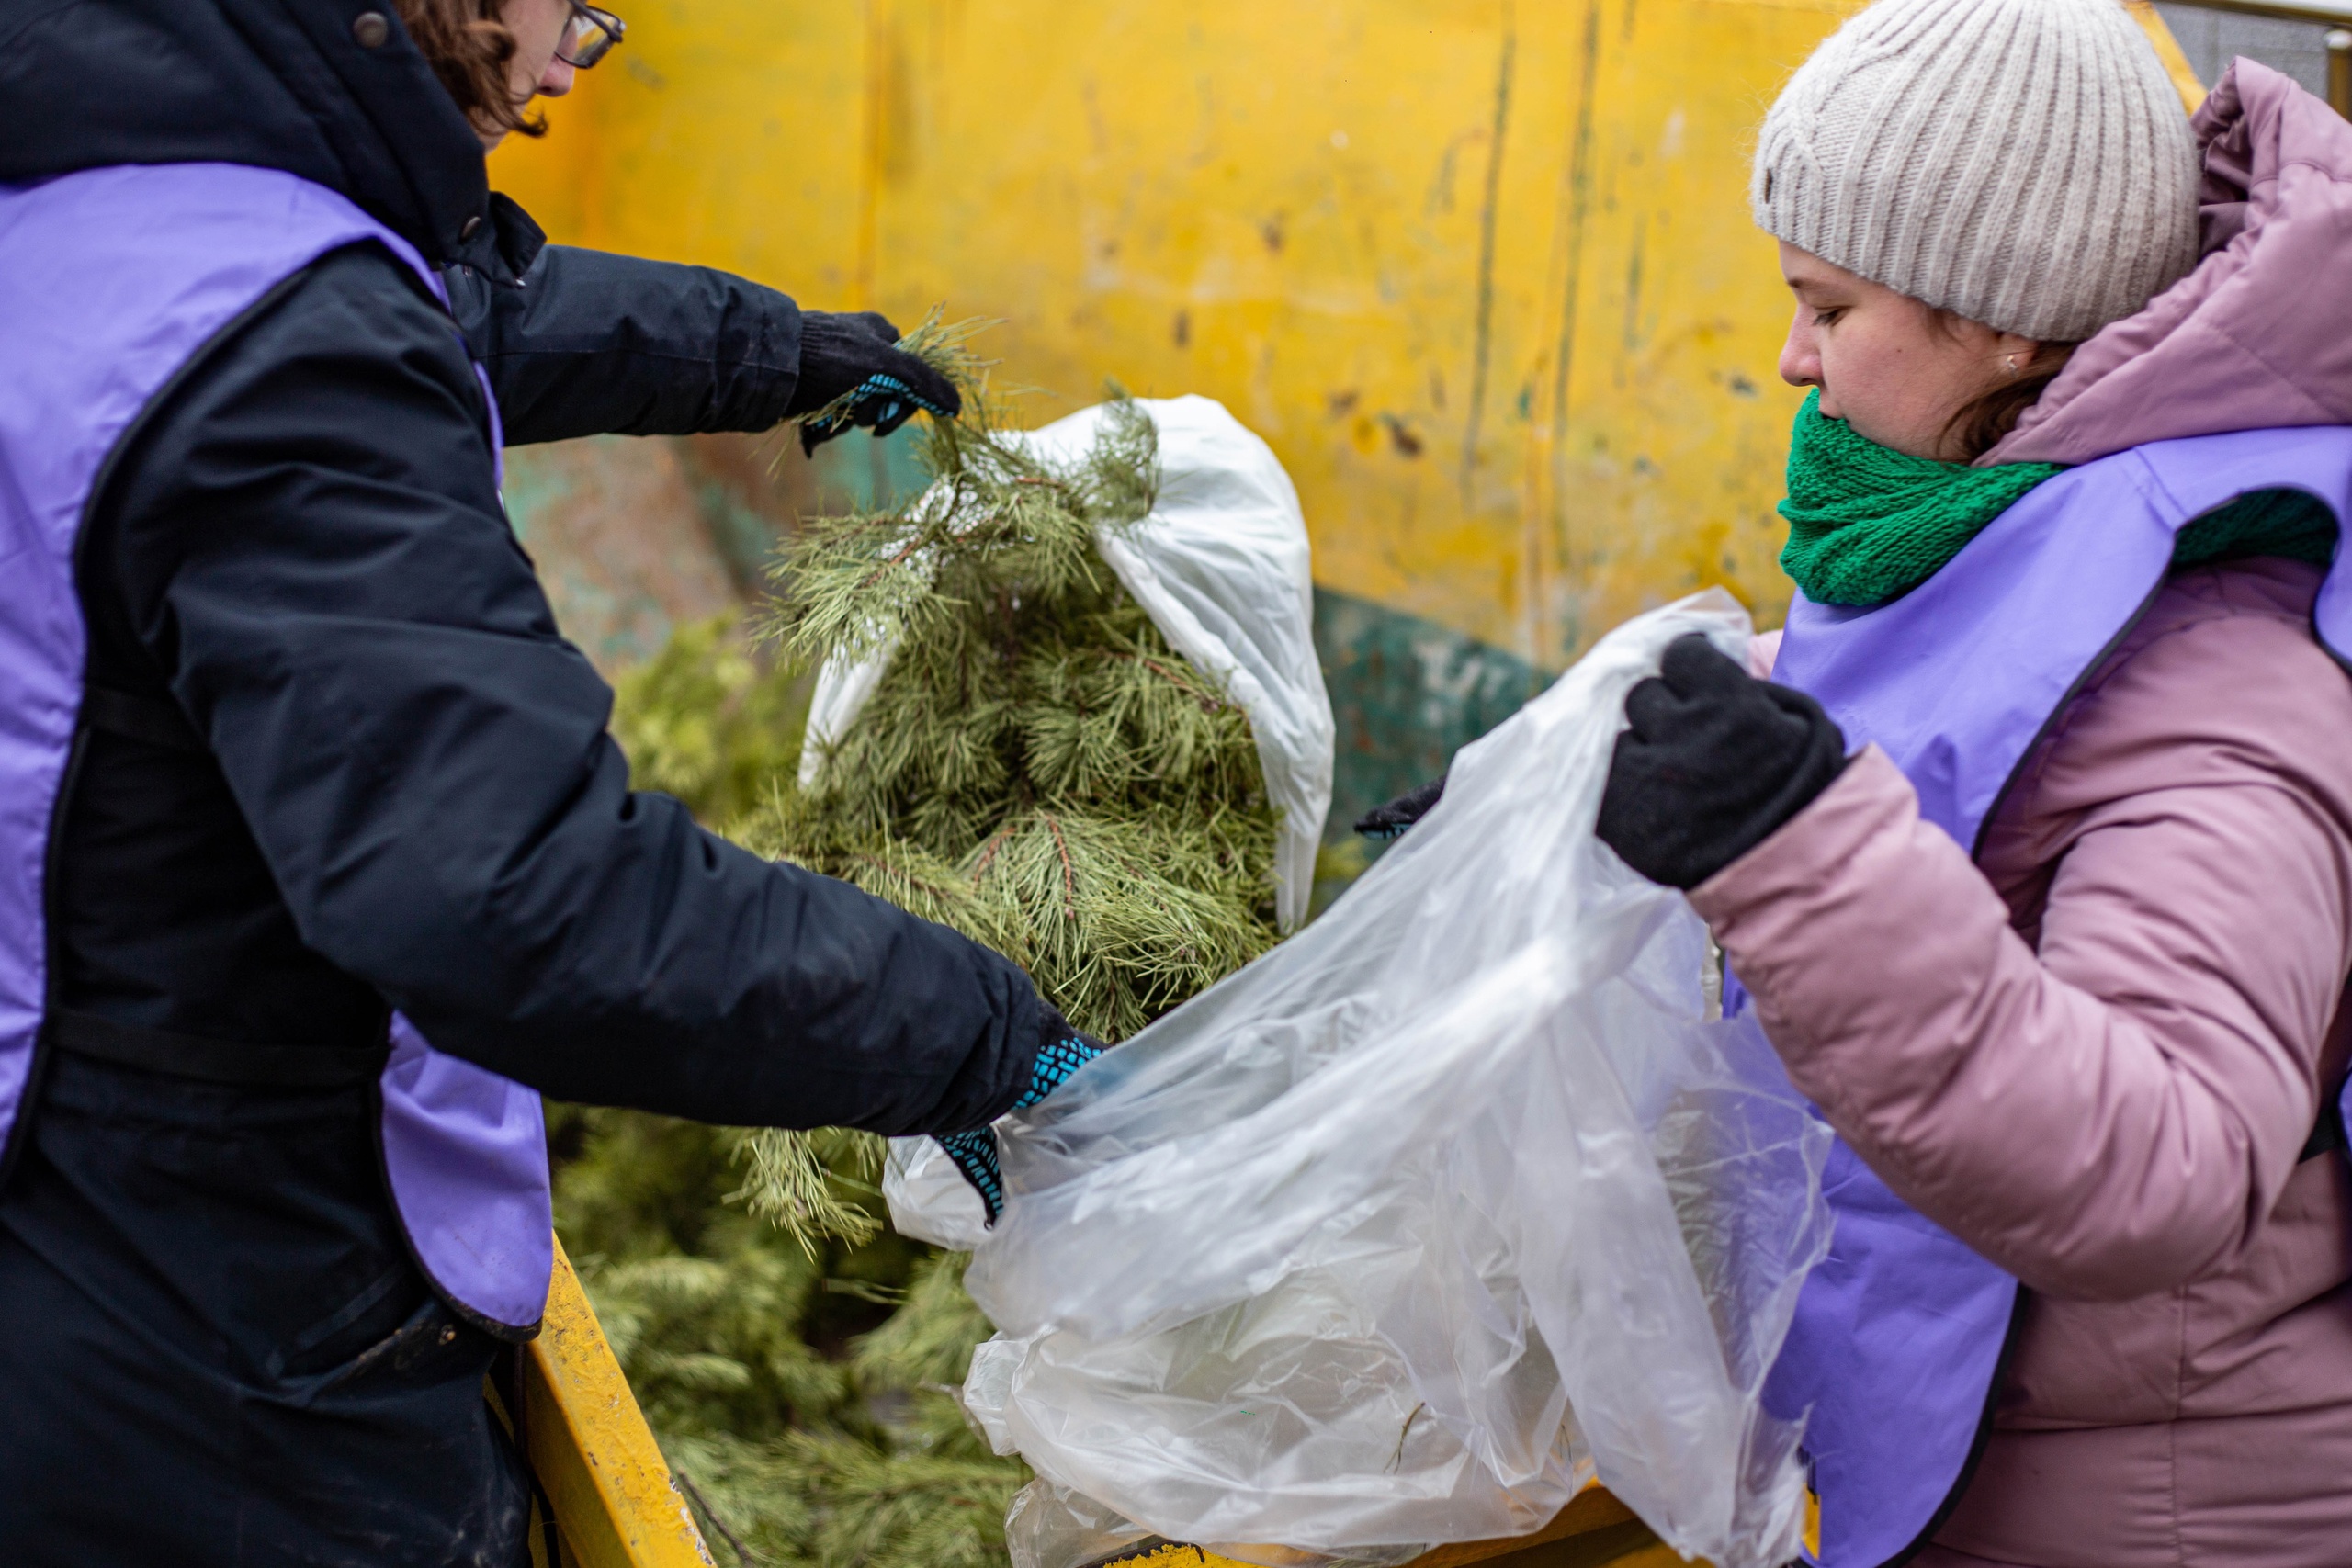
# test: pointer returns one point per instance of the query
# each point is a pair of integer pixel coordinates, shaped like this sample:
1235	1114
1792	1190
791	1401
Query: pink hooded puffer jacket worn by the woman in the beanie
2097	1052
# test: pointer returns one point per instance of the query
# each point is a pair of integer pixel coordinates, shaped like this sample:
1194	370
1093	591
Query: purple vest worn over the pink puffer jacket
1902	1329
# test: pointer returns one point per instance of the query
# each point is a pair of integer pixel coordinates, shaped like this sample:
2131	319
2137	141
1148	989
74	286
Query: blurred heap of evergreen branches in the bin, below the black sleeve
803	1393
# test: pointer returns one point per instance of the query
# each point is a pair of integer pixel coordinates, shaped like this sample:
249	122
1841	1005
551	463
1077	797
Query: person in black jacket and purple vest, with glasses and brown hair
314	772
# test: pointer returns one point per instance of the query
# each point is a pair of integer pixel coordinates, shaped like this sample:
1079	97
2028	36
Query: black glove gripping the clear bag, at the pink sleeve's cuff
1711	765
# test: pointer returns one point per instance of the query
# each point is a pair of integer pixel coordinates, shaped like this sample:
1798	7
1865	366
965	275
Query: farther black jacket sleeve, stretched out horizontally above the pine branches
599	344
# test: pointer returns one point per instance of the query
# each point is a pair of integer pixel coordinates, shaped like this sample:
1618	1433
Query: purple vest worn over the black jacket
109	283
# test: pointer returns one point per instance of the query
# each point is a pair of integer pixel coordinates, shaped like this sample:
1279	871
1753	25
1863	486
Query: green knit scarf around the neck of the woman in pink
1866	523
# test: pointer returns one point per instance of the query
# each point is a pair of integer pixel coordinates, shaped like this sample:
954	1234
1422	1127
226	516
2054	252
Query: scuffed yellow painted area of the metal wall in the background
1478	269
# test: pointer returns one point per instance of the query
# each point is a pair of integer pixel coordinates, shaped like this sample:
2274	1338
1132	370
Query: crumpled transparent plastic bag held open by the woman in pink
1422	1219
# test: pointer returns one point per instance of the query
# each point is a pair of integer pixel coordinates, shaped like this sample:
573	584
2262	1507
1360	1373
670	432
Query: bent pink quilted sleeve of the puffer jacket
2118	1111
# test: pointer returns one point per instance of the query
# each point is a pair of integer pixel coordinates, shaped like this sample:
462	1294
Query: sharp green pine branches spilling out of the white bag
1036	768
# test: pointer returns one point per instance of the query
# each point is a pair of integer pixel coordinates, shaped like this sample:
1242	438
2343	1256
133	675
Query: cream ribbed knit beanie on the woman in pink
2022	163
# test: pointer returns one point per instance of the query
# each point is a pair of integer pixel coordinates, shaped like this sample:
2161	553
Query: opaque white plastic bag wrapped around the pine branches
1222	570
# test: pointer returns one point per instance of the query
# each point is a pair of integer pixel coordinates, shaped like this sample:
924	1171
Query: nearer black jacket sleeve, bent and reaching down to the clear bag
316	556
